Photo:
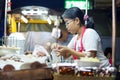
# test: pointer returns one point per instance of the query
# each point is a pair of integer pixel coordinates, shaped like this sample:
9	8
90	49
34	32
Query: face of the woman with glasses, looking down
71	25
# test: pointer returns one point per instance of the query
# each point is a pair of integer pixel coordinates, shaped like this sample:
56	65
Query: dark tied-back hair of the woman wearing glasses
74	12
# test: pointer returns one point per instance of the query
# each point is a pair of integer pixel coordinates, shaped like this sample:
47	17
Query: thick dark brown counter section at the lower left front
32	74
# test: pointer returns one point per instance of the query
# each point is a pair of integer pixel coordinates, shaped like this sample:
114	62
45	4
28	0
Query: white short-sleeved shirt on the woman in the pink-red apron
90	41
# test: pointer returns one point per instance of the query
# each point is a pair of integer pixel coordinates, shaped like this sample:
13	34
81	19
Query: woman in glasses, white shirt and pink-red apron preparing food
86	41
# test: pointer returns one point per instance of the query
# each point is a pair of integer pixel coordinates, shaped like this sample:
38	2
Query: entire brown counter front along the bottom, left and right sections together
44	74
